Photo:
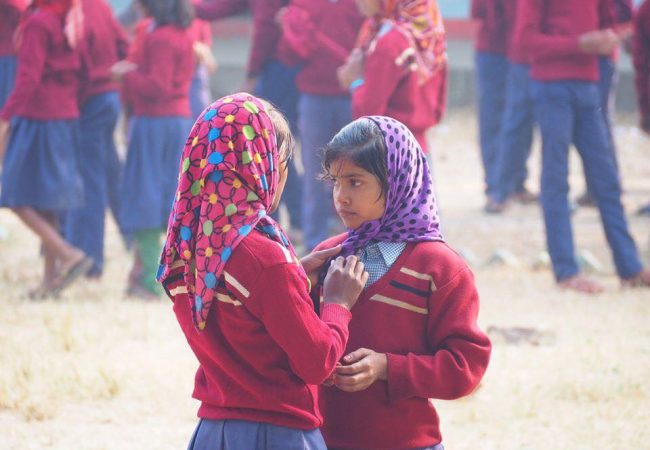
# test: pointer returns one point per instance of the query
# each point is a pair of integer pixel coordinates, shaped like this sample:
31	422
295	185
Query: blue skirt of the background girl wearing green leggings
150	174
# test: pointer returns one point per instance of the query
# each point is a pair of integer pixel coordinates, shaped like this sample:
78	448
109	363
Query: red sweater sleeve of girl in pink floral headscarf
313	345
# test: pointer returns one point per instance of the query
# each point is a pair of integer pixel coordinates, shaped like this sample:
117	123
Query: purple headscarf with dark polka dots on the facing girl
411	213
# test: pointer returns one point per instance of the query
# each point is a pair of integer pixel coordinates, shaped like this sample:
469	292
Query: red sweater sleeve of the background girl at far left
31	62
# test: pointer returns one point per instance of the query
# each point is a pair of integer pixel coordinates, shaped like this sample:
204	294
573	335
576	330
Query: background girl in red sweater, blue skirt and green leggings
156	85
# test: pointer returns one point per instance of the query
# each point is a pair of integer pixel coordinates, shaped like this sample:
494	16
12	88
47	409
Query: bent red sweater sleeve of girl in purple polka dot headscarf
460	351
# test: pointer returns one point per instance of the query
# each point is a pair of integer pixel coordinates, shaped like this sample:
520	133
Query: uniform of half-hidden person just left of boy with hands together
516	134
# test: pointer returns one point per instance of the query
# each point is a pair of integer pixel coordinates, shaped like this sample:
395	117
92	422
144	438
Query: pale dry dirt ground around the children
94	370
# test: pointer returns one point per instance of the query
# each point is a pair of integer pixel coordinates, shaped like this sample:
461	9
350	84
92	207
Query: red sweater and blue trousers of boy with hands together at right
568	110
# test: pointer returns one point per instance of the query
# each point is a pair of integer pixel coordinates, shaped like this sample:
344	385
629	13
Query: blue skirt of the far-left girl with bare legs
40	166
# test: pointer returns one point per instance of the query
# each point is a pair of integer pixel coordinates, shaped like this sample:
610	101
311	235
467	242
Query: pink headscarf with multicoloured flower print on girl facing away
227	183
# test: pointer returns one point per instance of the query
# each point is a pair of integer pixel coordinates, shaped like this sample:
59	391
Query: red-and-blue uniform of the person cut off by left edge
10	11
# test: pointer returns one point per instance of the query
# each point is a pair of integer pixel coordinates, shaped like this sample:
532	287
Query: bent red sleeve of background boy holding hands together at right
541	46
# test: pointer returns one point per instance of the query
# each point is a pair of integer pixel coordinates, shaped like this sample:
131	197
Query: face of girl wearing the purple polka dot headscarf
357	193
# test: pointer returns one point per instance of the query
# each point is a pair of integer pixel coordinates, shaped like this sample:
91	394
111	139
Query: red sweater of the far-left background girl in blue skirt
47	81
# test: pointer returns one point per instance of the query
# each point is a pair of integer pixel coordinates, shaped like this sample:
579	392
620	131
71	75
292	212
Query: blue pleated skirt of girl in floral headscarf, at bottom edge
241	434
